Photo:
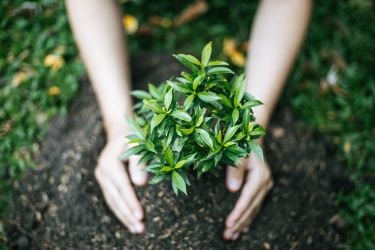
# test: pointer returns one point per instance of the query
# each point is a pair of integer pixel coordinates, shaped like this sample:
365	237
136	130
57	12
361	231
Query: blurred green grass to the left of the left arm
29	32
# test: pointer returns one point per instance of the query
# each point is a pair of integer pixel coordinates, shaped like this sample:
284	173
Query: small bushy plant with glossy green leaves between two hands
200	120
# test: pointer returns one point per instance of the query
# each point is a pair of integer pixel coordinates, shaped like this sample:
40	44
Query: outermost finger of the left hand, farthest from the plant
119	206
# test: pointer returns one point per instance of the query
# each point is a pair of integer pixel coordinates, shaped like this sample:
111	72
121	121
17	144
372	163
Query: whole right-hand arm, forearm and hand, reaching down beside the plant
276	37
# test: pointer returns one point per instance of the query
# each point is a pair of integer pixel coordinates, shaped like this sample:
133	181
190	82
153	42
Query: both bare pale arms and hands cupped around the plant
276	37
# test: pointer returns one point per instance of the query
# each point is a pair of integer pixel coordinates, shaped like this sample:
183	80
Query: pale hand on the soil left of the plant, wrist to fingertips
115	183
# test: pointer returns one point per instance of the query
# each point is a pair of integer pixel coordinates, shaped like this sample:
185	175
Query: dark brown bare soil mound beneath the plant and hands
59	205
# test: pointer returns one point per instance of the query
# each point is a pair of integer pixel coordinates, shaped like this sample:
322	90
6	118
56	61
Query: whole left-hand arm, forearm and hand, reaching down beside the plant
98	32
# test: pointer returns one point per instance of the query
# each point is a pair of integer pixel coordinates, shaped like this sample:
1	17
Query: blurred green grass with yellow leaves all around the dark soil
331	88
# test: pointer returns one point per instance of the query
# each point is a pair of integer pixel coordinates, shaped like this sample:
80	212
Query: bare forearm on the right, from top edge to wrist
276	37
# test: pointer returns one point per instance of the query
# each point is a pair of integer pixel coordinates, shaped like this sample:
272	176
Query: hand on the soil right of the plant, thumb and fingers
258	183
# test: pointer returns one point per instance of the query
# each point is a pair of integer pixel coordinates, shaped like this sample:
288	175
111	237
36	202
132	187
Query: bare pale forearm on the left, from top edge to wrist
97	28
